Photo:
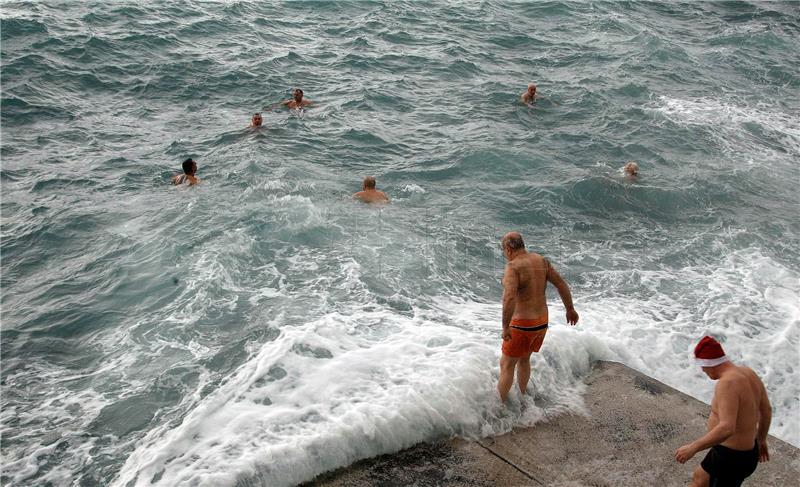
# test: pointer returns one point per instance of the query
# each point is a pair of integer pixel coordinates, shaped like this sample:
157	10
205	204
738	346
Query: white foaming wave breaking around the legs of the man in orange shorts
345	387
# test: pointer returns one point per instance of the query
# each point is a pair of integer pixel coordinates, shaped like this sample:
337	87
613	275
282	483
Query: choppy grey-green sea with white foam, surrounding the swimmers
262	328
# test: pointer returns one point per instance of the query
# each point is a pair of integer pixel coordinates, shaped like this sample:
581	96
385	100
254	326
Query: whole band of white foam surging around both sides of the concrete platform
364	380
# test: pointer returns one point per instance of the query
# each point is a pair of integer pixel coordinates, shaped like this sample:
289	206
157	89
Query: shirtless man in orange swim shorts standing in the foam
525	315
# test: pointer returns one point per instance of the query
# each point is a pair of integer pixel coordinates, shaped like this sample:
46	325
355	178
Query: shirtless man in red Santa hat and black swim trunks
738	425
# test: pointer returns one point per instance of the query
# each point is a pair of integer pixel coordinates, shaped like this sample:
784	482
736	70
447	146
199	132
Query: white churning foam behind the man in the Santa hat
746	300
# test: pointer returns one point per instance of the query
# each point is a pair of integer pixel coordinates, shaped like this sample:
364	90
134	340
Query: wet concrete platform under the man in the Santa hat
634	426
